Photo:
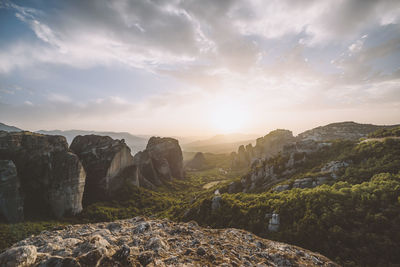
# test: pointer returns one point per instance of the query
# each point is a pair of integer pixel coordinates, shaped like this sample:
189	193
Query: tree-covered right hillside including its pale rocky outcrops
337	200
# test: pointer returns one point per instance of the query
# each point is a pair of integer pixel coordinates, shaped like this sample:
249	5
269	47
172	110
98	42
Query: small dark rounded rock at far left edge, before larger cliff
11	202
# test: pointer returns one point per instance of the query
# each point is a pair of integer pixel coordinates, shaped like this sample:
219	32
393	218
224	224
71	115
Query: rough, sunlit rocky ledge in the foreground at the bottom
142	242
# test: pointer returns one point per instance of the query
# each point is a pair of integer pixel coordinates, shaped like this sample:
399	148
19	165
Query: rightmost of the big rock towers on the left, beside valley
161	161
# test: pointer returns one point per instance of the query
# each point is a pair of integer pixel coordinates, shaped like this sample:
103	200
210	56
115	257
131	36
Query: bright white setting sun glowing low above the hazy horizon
228	118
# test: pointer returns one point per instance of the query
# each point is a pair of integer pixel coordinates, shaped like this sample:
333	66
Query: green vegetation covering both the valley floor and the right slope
355	220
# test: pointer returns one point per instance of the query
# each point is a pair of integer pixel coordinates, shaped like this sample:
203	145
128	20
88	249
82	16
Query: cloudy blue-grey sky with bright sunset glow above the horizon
190	67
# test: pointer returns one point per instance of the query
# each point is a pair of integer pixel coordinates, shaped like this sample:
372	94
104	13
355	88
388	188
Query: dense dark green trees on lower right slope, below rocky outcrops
352	224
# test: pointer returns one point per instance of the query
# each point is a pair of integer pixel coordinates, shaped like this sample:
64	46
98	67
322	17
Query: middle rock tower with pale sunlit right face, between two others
103	159
